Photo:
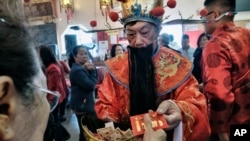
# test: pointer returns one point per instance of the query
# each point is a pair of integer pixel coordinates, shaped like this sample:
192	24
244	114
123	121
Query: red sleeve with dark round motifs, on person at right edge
217	85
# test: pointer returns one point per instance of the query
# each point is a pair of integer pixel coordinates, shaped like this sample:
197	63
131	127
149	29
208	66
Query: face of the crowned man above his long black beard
141	34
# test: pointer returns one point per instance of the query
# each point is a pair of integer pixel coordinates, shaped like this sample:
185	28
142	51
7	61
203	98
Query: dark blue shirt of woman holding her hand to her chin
82	89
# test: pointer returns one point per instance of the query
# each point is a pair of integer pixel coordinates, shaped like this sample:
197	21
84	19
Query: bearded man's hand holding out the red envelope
171	113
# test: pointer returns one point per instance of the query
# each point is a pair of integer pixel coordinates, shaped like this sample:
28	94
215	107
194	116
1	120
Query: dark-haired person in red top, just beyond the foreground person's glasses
55	82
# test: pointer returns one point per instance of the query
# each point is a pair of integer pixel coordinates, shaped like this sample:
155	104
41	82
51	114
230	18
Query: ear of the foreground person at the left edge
7	107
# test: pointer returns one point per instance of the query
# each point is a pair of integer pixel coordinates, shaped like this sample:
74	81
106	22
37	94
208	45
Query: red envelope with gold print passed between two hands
137	122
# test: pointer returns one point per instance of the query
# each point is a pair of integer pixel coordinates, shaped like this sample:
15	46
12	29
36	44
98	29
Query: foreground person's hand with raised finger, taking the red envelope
150	134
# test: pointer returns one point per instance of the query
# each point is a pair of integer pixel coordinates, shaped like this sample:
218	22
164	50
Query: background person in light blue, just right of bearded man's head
186	50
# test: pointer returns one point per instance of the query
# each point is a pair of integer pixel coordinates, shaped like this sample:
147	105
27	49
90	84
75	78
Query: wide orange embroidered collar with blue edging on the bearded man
171	69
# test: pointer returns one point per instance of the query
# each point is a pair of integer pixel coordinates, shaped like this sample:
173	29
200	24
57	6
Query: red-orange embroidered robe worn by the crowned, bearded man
174	81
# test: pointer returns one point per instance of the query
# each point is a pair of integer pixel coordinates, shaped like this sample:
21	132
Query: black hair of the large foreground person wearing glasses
18	58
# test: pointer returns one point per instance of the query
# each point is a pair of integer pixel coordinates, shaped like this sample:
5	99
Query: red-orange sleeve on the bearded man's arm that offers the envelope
193	106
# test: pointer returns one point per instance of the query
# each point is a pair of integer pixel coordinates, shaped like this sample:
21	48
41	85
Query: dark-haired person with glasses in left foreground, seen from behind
24	108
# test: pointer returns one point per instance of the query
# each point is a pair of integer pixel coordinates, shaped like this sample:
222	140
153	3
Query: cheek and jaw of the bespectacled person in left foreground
25	120
